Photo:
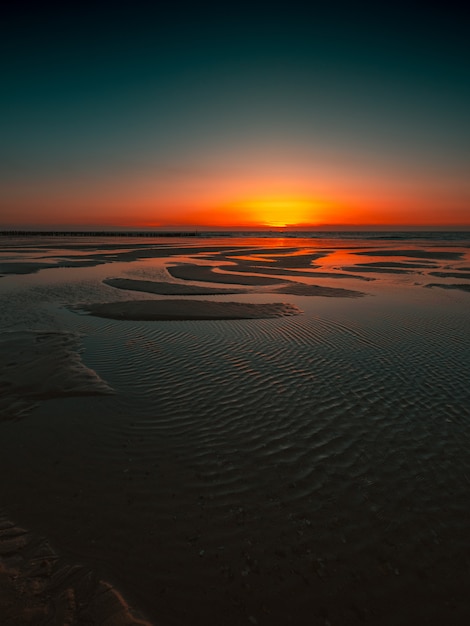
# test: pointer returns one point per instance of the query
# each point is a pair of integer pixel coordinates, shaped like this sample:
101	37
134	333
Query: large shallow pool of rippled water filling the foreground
307	469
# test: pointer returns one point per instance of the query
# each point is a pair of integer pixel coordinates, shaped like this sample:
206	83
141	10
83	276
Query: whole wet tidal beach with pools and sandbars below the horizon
235	430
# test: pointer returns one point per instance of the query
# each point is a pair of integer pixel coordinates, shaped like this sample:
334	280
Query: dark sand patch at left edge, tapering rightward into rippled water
36	366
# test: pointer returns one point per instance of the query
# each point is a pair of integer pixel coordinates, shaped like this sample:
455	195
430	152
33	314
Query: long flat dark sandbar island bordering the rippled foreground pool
166	310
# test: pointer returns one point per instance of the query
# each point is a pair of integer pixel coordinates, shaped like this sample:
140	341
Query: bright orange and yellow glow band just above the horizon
234	204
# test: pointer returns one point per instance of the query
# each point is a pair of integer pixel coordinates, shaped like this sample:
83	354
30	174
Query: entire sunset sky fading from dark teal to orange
231	116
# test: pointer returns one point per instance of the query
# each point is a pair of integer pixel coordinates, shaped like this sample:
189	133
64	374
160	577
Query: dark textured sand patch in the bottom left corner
37	587
